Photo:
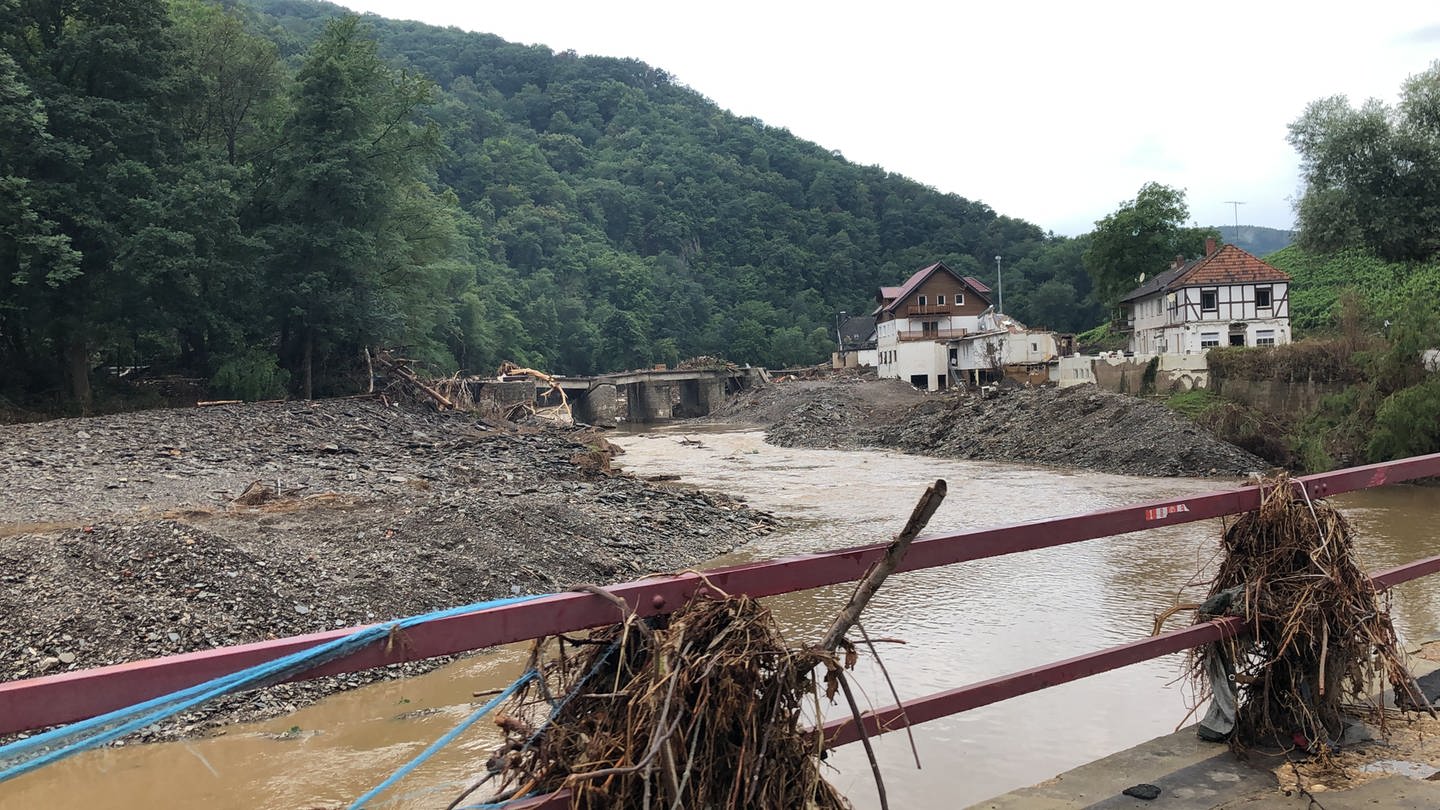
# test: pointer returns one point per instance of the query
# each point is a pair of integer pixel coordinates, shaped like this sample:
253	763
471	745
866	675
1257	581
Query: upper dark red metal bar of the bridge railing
77	695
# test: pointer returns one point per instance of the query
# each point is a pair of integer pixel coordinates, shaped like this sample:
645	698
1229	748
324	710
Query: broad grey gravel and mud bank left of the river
161	533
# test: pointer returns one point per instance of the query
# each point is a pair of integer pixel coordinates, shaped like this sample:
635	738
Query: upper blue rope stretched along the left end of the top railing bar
58	744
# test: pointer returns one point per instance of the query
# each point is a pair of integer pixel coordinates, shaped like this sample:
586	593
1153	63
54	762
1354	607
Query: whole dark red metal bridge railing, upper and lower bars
77	695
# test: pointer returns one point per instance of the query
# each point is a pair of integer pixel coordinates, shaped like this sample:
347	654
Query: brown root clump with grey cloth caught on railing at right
1320	639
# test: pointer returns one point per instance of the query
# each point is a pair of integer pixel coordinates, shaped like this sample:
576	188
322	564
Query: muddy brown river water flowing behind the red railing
961	623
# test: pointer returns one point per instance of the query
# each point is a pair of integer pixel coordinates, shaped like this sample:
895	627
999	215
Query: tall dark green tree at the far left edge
102	76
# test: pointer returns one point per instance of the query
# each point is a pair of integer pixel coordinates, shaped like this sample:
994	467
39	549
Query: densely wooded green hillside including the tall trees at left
251	195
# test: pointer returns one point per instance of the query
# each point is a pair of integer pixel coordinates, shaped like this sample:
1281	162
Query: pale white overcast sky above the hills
1053	113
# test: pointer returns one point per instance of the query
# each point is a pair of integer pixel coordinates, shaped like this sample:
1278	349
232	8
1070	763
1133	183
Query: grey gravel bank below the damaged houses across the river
1058	427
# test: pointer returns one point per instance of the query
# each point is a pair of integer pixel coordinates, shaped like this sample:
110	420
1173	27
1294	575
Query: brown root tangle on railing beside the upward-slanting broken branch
705	708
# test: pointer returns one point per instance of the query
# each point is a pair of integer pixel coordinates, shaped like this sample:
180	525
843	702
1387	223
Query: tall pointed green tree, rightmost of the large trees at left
349	220
